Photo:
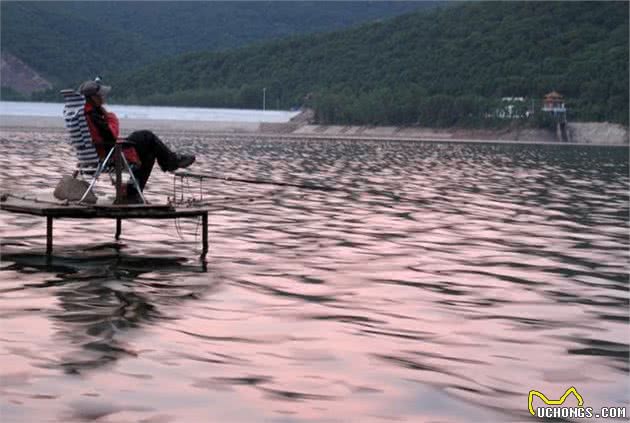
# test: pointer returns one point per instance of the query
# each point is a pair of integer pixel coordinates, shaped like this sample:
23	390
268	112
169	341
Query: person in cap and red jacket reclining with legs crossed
147	147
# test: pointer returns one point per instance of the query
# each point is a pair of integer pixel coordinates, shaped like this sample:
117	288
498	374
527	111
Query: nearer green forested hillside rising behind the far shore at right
445	66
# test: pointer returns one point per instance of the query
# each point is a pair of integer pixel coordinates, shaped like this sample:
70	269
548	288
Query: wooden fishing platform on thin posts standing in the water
54	209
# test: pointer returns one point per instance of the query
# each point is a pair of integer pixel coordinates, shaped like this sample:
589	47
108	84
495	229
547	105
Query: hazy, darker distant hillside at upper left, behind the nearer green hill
67	42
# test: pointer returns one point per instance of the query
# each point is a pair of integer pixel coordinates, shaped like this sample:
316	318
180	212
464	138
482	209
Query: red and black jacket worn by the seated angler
105	129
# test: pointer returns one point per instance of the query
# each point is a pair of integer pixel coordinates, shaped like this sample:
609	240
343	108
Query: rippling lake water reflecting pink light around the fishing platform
439	283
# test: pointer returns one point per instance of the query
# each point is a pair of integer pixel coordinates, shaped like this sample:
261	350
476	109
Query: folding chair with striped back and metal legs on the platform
89	164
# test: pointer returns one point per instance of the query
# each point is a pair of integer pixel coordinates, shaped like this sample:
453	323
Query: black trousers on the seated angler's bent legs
150	148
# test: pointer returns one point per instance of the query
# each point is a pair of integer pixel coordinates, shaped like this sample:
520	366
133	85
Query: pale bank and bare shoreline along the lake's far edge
600	131
